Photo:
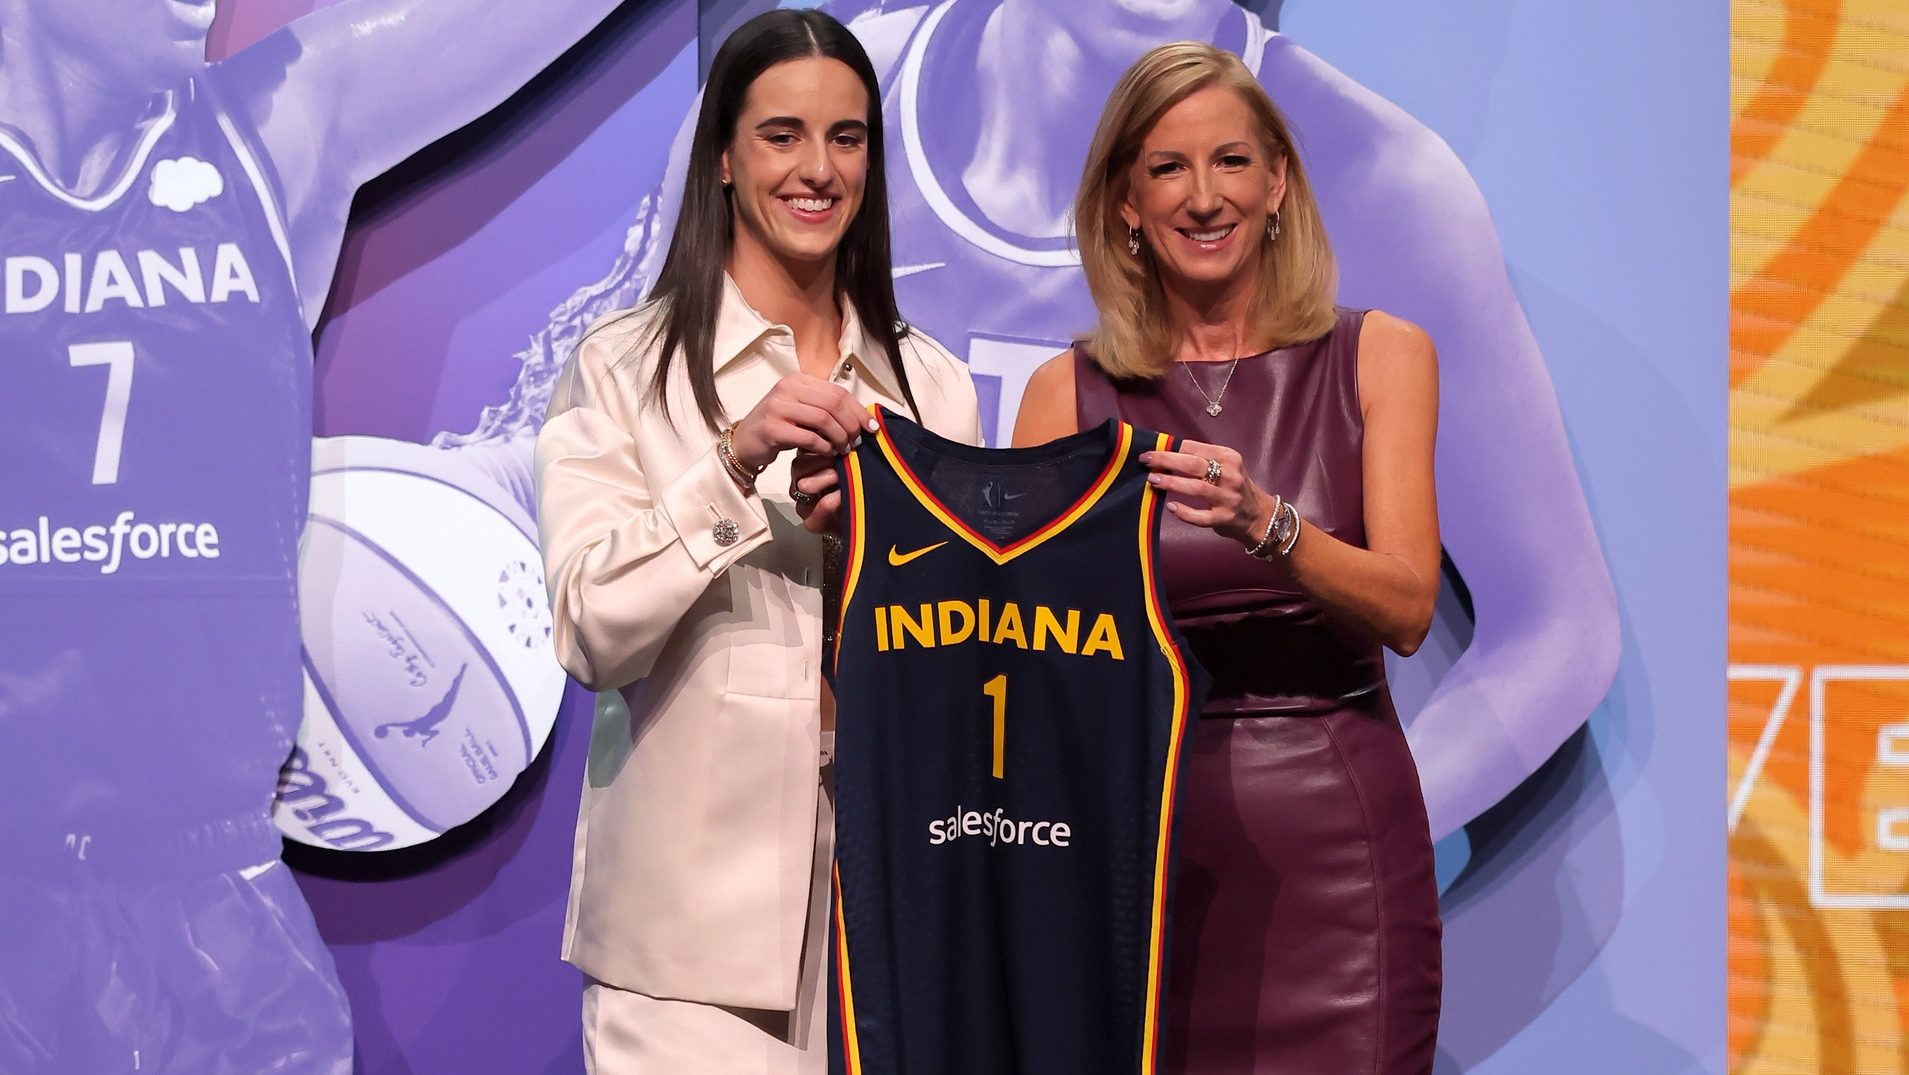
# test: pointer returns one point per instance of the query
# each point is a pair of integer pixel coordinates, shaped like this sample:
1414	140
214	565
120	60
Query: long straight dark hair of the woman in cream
690	284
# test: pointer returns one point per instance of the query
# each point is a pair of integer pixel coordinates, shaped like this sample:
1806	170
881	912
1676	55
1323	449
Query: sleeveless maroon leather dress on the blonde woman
1307	933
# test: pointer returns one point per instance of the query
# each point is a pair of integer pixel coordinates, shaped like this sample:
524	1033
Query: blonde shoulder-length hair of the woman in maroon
1299	282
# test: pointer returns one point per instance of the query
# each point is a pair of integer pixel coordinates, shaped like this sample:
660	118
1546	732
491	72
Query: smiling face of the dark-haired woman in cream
799	161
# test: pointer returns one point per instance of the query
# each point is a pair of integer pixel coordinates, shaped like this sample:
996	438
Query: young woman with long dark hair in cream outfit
684	488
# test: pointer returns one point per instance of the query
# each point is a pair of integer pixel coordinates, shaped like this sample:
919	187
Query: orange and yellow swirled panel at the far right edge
1820	537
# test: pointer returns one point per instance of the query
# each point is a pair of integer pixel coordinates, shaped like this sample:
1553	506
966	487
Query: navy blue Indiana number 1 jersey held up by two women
1011	717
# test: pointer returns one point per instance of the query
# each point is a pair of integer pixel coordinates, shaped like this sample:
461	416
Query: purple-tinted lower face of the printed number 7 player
131	43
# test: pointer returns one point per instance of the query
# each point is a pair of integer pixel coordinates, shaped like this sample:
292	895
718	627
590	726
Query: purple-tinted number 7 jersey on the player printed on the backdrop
156	442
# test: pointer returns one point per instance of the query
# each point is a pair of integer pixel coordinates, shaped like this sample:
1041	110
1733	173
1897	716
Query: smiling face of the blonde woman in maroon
1202	190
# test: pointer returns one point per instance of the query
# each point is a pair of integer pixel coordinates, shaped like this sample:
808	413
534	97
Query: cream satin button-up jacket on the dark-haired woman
696	610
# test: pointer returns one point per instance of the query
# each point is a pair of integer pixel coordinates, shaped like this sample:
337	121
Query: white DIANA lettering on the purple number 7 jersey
91	284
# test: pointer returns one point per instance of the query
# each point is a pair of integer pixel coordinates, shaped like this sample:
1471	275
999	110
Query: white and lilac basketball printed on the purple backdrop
430	683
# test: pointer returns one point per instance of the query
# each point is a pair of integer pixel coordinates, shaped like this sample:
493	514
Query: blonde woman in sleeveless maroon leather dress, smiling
1303	537
